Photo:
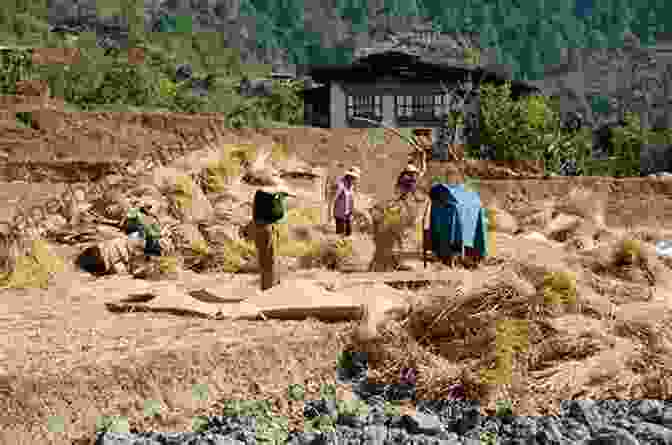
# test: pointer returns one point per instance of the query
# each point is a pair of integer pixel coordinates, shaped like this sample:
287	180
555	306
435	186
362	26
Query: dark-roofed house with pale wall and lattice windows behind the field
398	88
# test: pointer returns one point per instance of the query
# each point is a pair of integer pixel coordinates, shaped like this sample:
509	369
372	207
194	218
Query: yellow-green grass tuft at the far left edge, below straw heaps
35	267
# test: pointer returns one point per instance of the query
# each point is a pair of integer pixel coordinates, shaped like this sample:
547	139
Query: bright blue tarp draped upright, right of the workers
457	220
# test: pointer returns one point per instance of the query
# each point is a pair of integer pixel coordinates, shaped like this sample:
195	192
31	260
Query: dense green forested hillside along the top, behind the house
526	34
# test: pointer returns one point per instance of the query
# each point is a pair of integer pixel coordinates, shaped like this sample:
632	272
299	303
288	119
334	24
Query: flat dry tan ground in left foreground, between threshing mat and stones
66	355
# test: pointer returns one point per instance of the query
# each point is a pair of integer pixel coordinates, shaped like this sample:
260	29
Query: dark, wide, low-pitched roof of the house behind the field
406	66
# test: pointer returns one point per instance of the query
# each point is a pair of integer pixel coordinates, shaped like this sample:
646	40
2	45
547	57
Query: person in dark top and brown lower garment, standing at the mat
269	209
